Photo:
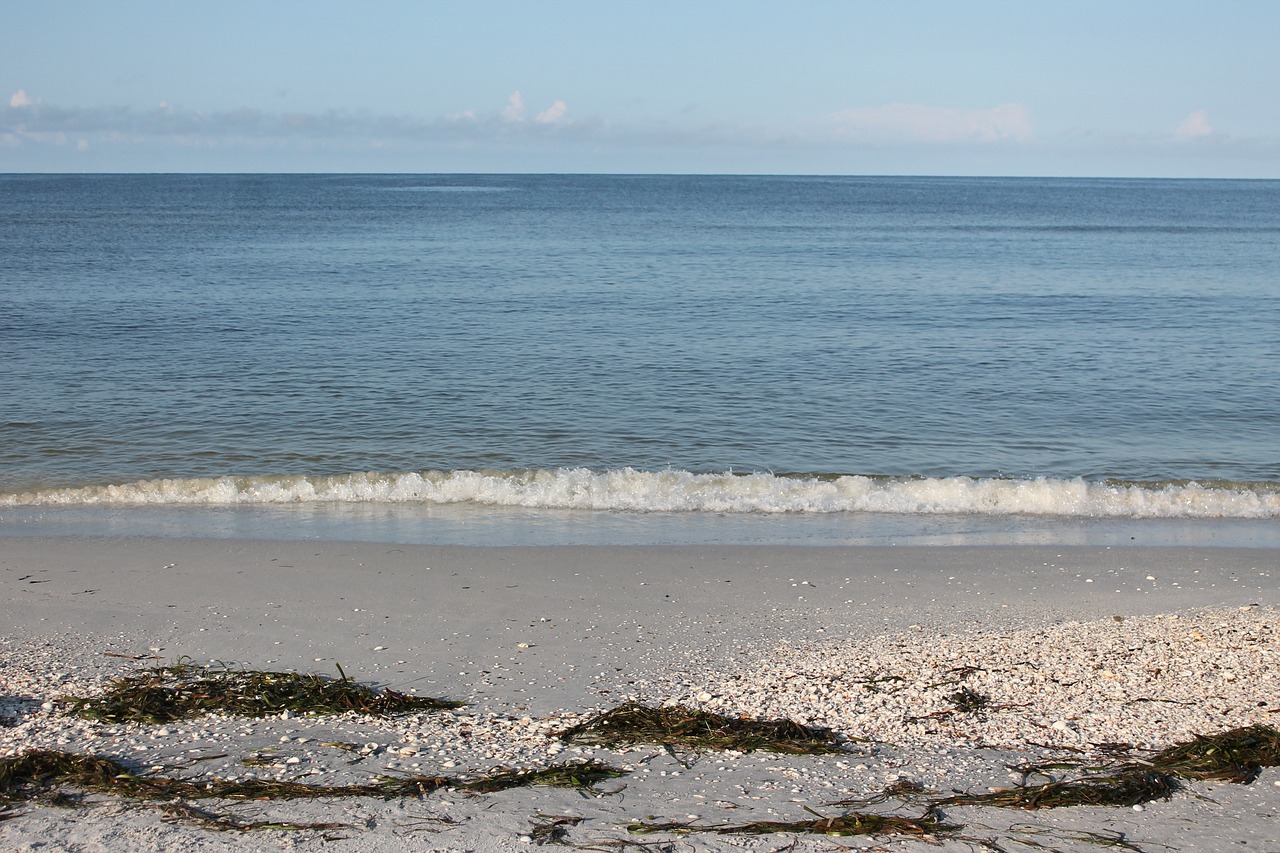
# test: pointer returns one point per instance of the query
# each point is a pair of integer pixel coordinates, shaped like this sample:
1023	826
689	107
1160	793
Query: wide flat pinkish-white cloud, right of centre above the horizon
922	124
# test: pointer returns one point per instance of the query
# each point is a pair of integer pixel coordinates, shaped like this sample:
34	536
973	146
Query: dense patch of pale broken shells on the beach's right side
1145	682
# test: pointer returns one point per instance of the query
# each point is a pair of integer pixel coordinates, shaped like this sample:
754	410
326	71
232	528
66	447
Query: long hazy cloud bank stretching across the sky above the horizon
898	138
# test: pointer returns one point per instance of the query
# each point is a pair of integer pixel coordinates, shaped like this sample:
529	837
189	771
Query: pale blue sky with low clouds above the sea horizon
968	88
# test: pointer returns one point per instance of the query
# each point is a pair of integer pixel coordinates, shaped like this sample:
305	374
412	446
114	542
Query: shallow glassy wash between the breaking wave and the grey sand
482	526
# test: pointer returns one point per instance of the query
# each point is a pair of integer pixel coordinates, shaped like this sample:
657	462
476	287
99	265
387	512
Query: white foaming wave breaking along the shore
674	491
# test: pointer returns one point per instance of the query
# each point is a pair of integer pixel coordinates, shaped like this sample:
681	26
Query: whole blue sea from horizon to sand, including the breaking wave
630	359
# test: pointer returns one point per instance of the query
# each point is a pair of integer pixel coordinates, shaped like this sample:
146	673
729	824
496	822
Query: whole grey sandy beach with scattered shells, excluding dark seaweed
1069	647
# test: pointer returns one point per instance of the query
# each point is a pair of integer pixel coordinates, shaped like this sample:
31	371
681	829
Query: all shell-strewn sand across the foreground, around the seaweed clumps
941	709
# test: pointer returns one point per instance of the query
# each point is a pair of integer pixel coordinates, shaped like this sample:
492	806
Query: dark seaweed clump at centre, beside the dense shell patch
679	727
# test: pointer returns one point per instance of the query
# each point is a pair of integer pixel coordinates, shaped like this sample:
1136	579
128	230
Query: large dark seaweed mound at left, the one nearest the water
170	694
